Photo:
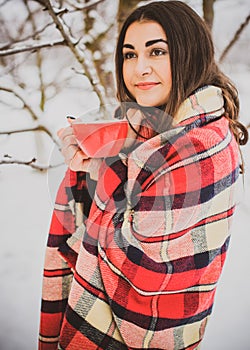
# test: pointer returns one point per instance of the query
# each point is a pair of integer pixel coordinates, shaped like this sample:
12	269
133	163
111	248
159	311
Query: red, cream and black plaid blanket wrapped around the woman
133	260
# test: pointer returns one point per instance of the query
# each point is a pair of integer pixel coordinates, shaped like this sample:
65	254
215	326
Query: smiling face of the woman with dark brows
146	66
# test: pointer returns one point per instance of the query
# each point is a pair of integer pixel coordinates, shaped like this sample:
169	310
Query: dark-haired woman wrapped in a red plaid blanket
138	241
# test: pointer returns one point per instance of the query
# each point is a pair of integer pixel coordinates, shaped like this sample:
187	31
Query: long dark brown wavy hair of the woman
192	59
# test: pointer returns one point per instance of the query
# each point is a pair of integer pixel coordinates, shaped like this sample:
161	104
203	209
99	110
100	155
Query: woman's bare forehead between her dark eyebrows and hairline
144	31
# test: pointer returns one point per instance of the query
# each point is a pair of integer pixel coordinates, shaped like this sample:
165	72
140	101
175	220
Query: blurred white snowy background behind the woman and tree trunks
28	194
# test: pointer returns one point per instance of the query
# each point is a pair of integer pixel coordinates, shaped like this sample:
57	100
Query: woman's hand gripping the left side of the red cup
74	156
